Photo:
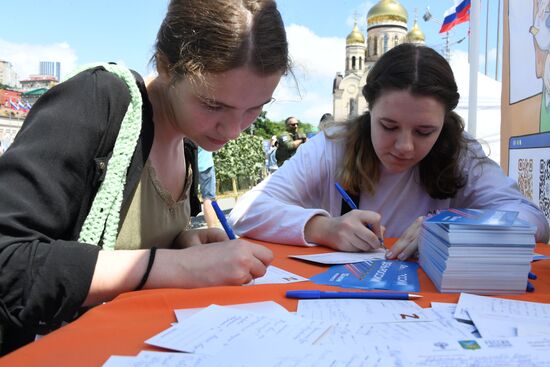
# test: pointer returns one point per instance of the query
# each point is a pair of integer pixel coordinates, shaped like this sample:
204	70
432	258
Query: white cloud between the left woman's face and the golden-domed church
316	60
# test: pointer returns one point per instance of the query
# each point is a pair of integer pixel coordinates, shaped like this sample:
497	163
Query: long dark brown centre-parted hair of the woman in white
423	72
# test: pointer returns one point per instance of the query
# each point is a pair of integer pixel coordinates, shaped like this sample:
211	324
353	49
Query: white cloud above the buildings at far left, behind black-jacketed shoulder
25	58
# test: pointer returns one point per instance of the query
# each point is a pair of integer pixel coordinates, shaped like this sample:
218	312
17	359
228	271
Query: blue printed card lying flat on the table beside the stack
372	274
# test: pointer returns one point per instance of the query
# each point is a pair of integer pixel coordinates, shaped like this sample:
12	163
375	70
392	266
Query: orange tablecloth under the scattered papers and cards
121	326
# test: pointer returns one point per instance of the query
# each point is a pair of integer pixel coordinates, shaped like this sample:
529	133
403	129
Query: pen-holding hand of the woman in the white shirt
346	233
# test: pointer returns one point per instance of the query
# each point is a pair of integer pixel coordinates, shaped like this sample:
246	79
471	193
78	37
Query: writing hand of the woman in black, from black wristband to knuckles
233	262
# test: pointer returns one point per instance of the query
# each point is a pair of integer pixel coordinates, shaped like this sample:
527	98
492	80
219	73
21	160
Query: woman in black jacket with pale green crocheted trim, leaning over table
115	174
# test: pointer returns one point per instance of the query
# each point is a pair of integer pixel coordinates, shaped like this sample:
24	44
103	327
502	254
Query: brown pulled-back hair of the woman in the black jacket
200	36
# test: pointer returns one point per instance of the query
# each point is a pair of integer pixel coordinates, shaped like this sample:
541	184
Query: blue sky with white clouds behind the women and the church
77	32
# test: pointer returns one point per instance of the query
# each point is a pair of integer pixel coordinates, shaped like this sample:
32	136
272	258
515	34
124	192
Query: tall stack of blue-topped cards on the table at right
477	251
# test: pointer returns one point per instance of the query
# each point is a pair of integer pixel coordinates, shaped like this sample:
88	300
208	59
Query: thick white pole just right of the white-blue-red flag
474	66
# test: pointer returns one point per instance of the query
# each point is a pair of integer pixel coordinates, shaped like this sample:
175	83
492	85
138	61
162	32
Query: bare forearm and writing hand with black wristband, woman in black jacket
234	262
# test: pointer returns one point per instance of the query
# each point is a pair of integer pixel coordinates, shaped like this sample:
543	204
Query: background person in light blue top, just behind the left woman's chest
207	185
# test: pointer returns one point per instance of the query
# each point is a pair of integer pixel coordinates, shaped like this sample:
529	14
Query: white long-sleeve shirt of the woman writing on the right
277	209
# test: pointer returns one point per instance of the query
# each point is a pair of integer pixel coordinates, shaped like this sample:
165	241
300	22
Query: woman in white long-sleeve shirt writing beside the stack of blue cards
407	156
